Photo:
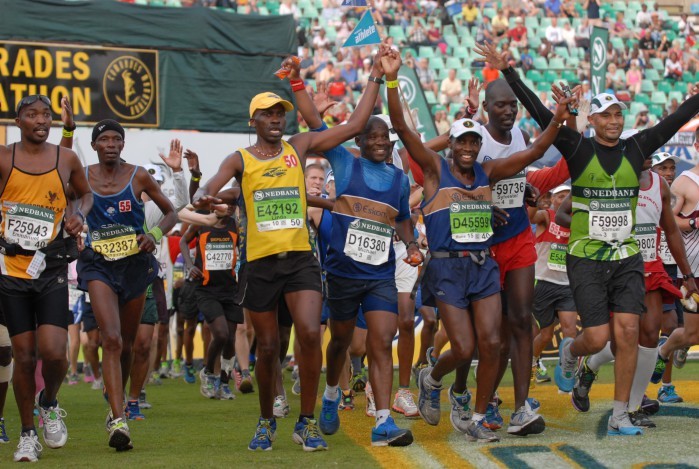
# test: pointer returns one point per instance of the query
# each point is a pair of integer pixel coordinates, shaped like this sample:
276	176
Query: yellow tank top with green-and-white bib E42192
274	208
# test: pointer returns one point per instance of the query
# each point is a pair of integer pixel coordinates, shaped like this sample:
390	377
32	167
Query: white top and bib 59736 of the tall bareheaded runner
508	193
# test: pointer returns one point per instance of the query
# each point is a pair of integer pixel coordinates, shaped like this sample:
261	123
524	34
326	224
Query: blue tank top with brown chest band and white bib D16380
363	222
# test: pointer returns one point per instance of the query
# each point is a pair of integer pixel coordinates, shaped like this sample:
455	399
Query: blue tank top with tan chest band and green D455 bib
459	217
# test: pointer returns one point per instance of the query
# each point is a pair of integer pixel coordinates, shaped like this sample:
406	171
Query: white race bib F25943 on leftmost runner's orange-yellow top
29	226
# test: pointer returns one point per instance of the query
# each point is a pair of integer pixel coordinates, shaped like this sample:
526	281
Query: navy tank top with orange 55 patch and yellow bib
115	221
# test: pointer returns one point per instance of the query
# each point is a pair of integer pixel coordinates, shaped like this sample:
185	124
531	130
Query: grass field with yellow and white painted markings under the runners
185	430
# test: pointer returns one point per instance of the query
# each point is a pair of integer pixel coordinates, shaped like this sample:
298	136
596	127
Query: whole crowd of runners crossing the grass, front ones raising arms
493	252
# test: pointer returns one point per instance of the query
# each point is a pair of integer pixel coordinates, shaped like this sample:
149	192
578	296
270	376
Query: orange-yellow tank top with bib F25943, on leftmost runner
33	206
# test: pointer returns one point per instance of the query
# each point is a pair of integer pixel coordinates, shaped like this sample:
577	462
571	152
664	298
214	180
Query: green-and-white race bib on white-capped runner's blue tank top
470	221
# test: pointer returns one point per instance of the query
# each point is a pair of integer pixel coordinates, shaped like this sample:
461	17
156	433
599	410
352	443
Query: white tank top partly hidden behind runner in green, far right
648	210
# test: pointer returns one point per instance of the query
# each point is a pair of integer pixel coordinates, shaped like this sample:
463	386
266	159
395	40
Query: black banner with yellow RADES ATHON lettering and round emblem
101	82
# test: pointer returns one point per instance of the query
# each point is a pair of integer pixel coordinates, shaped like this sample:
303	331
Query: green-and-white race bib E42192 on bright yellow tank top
278	209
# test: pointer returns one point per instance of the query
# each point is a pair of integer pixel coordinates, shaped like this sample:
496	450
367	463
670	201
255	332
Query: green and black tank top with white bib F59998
604	212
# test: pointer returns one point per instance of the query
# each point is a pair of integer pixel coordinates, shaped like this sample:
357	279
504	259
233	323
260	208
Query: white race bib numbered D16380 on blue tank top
368	241
